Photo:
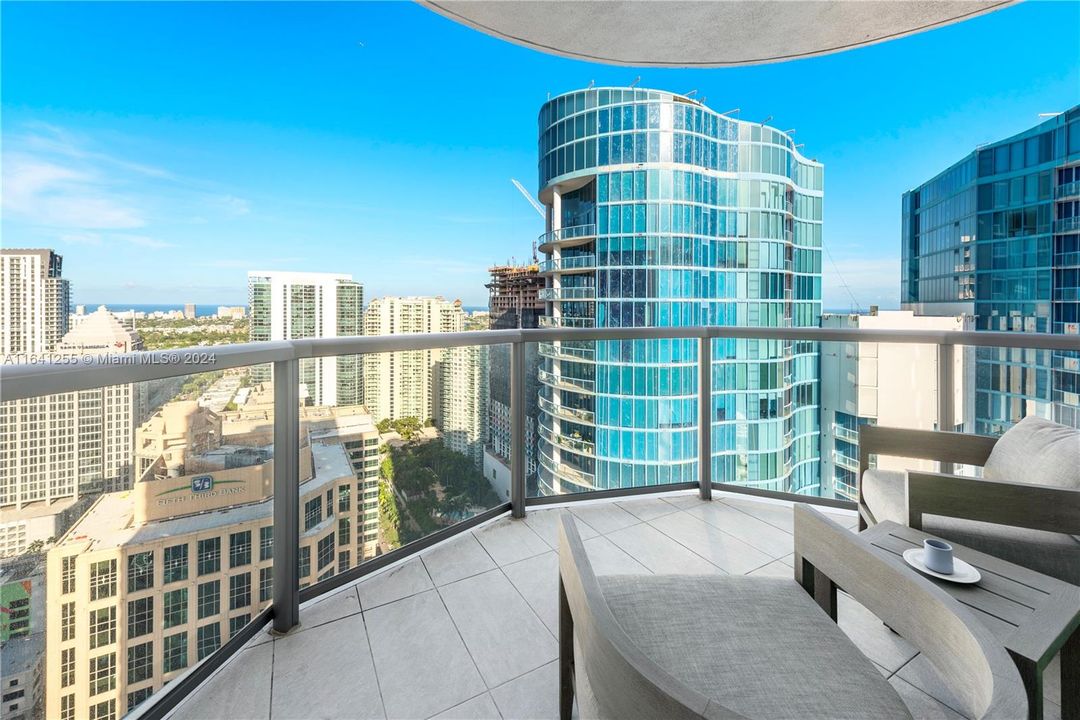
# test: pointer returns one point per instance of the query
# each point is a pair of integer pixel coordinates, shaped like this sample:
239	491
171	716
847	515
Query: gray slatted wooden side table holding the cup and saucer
1035	617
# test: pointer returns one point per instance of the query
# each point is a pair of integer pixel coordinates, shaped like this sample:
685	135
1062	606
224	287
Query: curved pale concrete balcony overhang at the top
705	33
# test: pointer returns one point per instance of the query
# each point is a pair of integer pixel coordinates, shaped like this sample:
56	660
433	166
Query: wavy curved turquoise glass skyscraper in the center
663	213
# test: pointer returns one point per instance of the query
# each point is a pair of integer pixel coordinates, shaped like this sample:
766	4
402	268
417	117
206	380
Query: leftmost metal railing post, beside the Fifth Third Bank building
287	491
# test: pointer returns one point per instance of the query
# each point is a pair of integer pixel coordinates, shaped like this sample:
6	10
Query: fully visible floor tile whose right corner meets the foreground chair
507	644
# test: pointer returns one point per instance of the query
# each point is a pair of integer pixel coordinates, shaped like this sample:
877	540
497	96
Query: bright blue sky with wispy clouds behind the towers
166	150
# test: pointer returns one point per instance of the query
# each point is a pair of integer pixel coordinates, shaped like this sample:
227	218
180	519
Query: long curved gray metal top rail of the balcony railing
22	381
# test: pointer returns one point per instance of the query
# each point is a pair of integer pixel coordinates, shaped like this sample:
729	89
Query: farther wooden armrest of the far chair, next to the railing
942	446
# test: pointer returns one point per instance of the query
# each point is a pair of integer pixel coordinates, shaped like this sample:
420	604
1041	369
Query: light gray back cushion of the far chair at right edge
1037	452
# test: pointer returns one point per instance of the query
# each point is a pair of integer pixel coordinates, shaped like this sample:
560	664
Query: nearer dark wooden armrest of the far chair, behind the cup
1020	505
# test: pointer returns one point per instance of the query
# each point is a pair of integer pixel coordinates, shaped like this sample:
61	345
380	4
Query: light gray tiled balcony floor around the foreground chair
469	629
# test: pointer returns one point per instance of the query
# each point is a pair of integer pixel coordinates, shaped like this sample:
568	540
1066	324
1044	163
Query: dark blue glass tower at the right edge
998	236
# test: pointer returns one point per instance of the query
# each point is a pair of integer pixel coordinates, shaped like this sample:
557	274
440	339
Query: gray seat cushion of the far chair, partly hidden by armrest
1054	554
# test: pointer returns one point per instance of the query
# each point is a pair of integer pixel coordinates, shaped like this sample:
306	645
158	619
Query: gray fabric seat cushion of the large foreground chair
759	646
